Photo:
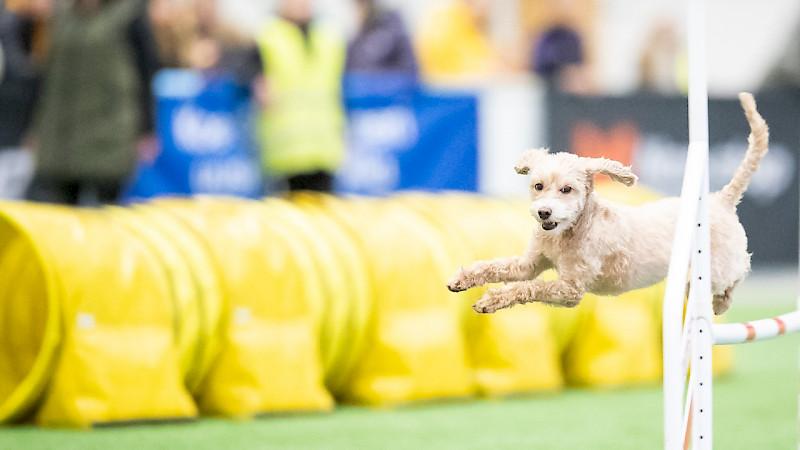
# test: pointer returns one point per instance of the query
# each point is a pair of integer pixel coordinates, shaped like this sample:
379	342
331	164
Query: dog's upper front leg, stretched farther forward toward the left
515	268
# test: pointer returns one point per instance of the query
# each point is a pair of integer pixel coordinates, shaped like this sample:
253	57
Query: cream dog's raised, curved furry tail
758	145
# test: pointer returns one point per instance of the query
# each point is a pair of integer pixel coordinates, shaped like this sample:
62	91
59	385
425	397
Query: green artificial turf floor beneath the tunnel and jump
755	407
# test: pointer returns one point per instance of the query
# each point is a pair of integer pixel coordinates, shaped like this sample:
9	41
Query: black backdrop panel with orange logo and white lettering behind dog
651	132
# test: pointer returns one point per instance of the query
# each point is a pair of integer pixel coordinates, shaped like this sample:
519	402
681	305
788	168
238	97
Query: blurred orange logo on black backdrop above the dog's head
617	143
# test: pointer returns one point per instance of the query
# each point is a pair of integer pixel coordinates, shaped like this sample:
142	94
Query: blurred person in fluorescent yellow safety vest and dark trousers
301	128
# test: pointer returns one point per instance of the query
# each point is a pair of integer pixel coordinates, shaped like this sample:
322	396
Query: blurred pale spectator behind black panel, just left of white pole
663	66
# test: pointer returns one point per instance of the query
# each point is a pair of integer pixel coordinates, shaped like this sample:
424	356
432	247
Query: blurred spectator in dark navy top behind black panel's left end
559	56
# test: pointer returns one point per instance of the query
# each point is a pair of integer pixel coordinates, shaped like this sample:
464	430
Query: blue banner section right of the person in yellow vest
401	137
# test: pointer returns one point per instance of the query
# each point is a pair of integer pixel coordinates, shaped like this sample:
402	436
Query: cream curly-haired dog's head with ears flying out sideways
560	184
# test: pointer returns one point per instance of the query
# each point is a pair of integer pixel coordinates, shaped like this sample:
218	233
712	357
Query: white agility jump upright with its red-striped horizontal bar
688	341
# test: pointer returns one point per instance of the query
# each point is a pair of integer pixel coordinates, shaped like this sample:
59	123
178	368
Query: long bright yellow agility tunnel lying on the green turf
237	308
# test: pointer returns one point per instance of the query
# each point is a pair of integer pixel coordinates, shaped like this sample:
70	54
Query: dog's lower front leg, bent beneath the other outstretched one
562	292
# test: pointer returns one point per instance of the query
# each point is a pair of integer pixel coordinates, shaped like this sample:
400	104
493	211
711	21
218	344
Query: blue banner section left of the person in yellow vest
206	146
